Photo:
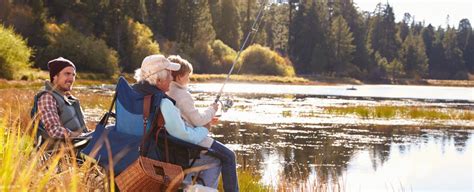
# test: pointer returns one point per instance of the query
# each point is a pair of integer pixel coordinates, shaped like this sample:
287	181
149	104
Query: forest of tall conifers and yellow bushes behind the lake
302	37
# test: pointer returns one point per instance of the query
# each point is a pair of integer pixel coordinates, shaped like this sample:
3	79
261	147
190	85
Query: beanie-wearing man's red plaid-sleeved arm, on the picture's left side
47	107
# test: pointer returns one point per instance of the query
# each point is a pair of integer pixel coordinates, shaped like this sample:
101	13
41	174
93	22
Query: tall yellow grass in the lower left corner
26	168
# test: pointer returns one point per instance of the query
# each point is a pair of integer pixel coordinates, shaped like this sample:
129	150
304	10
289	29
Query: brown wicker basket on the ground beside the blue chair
149	175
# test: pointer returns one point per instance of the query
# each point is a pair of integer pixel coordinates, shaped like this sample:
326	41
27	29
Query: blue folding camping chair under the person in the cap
126	134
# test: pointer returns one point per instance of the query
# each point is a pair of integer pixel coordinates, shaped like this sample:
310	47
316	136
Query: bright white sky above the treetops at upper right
430	11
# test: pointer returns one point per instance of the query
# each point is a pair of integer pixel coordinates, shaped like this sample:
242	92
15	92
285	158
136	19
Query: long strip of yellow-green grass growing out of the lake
390	112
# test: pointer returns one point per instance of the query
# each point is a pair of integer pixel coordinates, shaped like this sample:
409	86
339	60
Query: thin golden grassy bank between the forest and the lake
97	79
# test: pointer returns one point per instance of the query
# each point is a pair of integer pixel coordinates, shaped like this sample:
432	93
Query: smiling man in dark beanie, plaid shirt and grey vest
60	113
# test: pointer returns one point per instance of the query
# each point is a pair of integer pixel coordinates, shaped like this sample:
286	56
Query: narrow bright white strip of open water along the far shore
372	91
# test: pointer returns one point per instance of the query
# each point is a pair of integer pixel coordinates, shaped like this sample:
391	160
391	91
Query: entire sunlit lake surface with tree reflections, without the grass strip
282	133
